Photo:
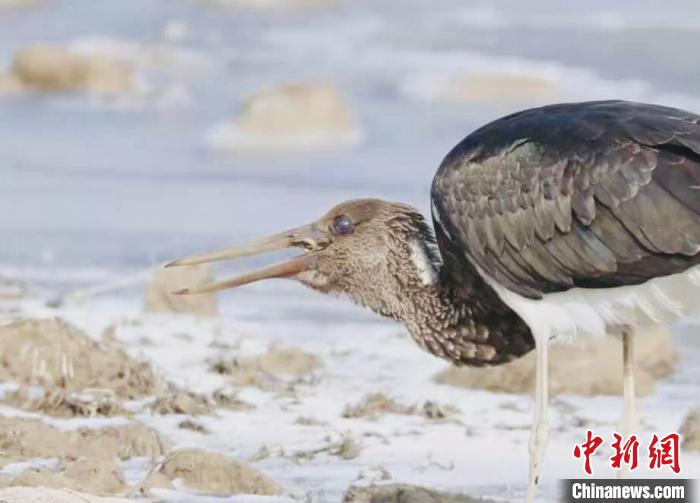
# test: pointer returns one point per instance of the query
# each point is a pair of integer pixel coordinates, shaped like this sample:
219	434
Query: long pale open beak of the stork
309	237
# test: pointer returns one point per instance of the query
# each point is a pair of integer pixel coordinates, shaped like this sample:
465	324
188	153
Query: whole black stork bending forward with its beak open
579	218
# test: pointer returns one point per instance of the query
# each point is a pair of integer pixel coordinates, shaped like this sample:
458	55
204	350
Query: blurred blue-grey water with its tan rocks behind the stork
141	130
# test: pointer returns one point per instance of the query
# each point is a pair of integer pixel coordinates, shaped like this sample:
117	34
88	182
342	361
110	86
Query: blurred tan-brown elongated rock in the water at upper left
52	68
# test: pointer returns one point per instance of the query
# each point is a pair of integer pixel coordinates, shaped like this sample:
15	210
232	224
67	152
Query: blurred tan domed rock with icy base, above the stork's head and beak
305	115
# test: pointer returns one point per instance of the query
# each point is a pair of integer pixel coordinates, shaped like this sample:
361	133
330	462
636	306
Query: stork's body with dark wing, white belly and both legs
585	219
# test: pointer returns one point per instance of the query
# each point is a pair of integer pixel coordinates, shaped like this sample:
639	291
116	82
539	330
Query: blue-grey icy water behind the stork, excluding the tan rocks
89	184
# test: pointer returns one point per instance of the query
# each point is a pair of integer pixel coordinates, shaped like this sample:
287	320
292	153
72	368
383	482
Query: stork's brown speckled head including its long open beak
369	249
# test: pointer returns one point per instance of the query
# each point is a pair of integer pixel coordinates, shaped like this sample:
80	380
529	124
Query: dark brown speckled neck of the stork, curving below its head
454	314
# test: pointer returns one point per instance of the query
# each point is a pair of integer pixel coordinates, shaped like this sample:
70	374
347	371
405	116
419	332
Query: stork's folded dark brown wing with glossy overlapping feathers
596	194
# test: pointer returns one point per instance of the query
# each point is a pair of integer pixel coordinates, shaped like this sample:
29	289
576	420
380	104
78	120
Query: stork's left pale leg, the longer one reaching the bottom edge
539	435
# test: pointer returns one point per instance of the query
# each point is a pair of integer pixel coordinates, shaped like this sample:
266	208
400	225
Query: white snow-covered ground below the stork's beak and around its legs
297	433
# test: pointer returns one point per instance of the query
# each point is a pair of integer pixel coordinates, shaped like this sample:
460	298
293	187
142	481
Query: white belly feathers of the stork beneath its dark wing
597	311
